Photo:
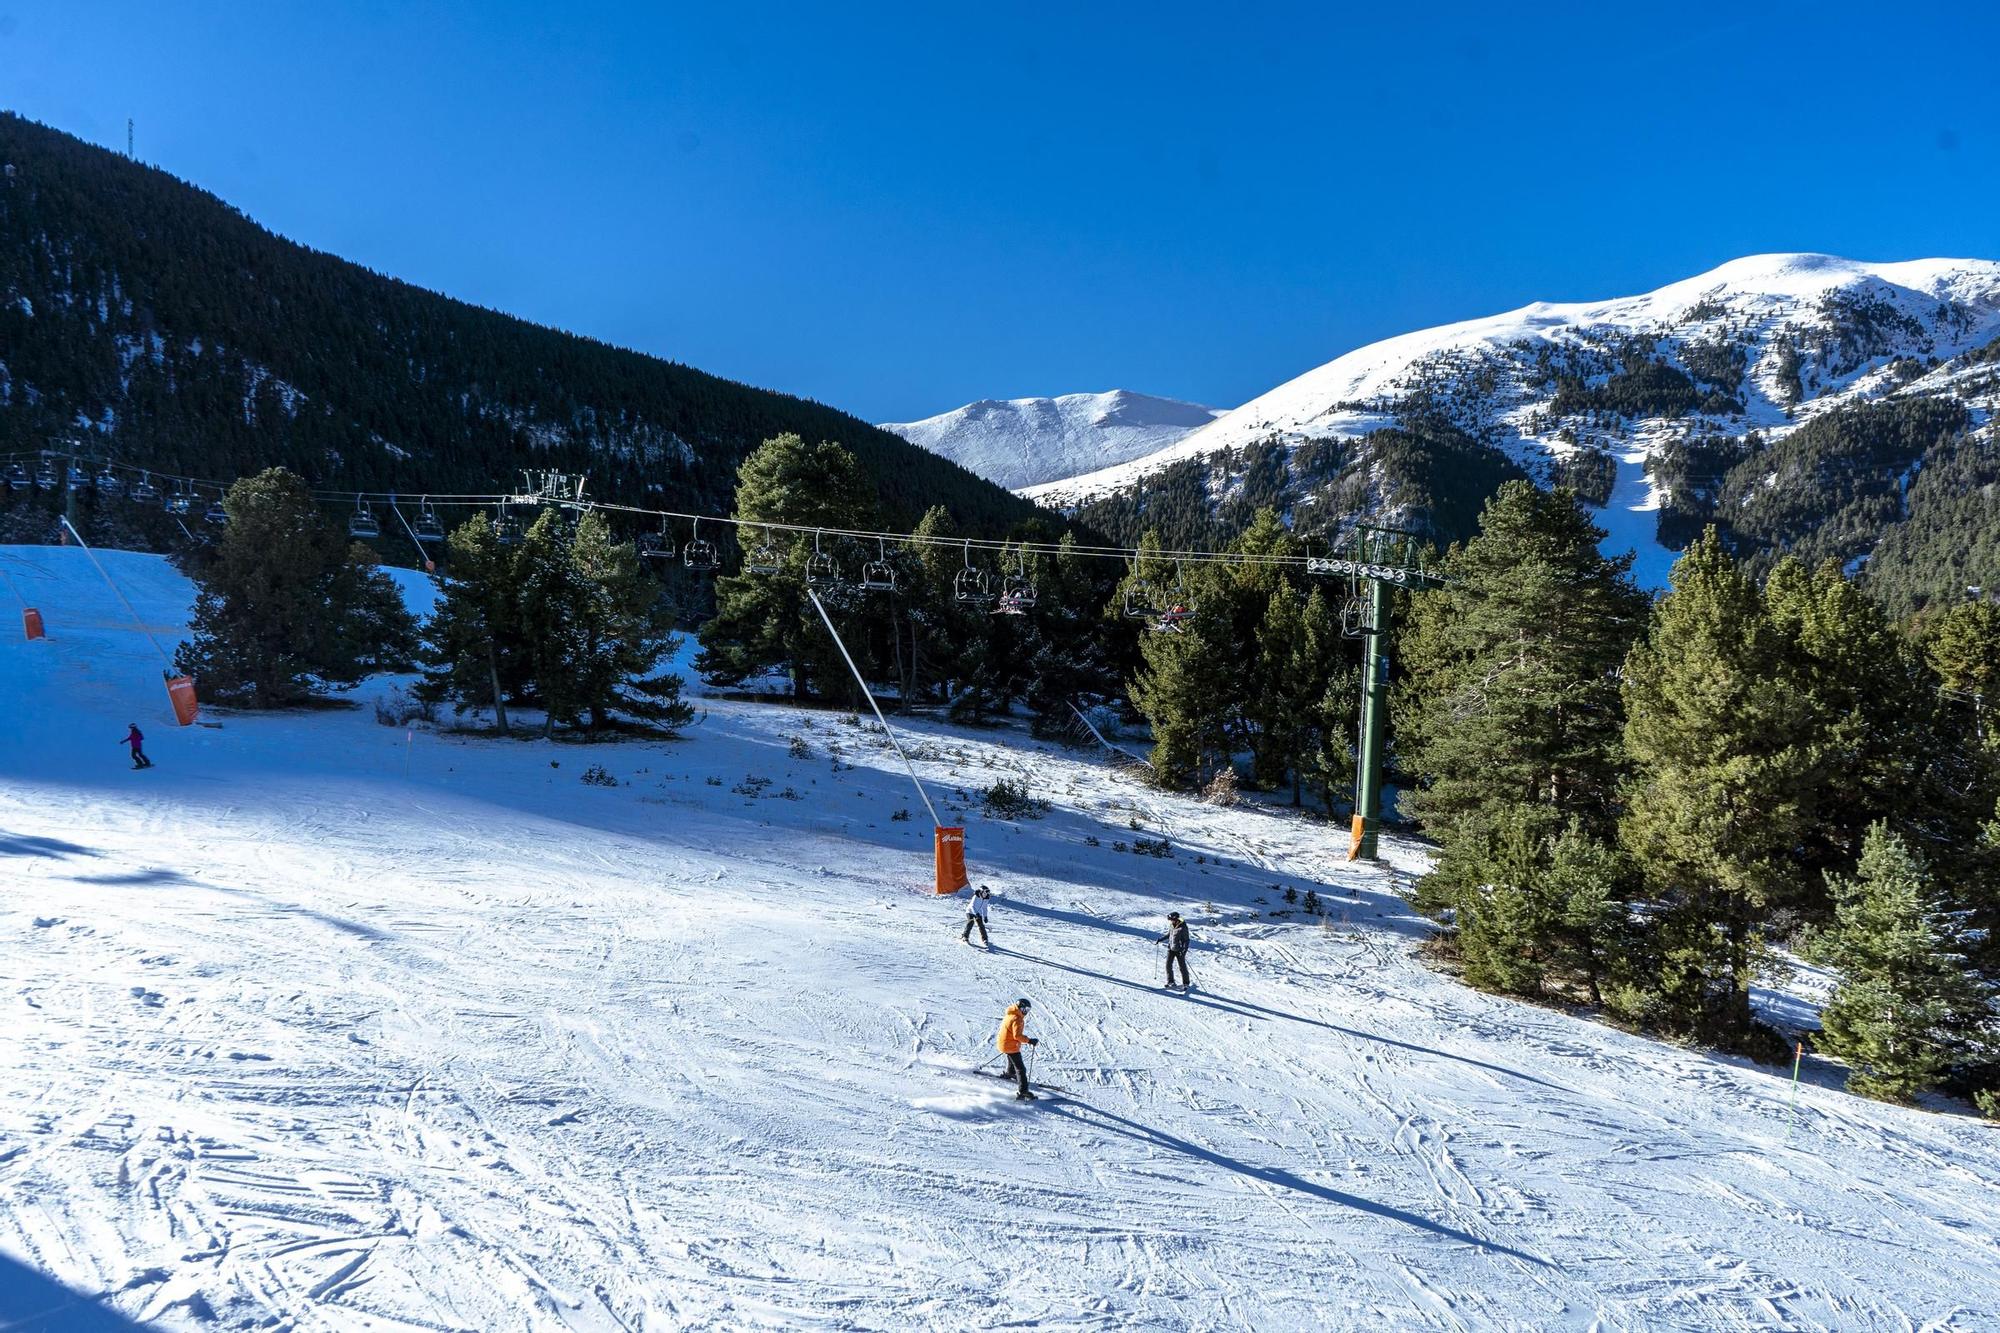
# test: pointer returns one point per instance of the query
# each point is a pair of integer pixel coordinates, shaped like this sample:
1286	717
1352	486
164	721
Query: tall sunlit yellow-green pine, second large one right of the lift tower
1721	790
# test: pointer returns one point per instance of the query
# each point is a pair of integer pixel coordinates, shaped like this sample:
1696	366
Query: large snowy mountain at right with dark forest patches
1669	411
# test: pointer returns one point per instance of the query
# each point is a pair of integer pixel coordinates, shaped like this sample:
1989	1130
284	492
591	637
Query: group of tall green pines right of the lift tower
1637	802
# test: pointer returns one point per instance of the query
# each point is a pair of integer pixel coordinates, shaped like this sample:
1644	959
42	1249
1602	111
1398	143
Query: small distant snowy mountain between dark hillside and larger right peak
1029	441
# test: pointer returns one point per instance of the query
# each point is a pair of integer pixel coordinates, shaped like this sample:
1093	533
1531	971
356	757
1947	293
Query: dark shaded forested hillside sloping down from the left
151	323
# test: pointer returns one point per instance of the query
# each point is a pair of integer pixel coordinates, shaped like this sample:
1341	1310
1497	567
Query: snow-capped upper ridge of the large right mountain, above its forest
1813	329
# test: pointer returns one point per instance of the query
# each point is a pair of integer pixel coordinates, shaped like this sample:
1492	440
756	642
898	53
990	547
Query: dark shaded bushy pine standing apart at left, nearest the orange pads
285	603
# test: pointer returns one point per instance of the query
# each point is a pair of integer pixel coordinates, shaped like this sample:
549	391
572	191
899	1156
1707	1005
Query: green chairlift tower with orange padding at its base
1383	559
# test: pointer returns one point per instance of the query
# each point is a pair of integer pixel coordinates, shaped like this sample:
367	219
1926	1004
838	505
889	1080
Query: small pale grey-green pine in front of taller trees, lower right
1909	1006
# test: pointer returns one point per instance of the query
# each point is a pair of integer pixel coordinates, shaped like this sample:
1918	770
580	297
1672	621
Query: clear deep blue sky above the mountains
899	209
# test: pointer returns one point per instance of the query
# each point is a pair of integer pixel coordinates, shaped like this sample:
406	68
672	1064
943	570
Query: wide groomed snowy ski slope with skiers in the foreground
323	1028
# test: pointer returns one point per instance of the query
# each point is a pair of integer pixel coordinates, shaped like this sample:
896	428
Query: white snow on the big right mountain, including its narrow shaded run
1935	309
